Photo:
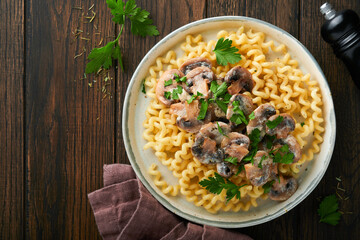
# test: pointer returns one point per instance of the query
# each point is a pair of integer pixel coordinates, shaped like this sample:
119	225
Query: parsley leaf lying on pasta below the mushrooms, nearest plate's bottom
217	183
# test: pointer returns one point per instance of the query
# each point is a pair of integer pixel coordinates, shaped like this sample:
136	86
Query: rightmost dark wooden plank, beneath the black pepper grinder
345	161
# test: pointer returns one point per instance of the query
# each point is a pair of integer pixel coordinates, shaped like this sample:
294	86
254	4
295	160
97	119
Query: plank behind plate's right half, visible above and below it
275	12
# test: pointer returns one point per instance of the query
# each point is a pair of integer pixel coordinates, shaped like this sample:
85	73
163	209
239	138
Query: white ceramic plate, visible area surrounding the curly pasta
134	116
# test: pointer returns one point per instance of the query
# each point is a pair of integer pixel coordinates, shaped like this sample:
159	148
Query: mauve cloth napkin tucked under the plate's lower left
124	209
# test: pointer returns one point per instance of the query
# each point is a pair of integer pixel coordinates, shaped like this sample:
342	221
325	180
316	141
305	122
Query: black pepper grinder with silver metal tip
342	31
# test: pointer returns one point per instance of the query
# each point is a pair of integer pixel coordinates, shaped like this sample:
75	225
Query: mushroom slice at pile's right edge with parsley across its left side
286	126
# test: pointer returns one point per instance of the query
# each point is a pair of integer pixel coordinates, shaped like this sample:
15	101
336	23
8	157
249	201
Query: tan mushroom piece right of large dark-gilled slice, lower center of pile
236	145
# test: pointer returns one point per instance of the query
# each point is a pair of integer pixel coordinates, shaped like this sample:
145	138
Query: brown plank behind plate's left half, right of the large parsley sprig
134	48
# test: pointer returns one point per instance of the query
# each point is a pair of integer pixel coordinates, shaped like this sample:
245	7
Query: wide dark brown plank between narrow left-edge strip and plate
69	126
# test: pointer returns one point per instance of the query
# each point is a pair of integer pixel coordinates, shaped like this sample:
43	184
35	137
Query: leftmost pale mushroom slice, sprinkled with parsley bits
161	88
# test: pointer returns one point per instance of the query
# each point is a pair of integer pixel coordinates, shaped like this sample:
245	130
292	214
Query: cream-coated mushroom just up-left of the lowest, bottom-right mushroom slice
262	170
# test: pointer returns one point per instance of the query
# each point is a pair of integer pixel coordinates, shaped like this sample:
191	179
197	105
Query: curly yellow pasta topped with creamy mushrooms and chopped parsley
247	126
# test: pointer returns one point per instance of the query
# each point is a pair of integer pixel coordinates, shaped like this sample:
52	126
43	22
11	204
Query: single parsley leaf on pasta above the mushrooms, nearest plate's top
225	53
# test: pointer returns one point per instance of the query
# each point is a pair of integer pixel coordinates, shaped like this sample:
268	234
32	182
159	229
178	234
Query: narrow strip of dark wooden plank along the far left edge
11	119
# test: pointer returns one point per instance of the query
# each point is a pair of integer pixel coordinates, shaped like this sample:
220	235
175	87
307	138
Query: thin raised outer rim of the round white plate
196	219
